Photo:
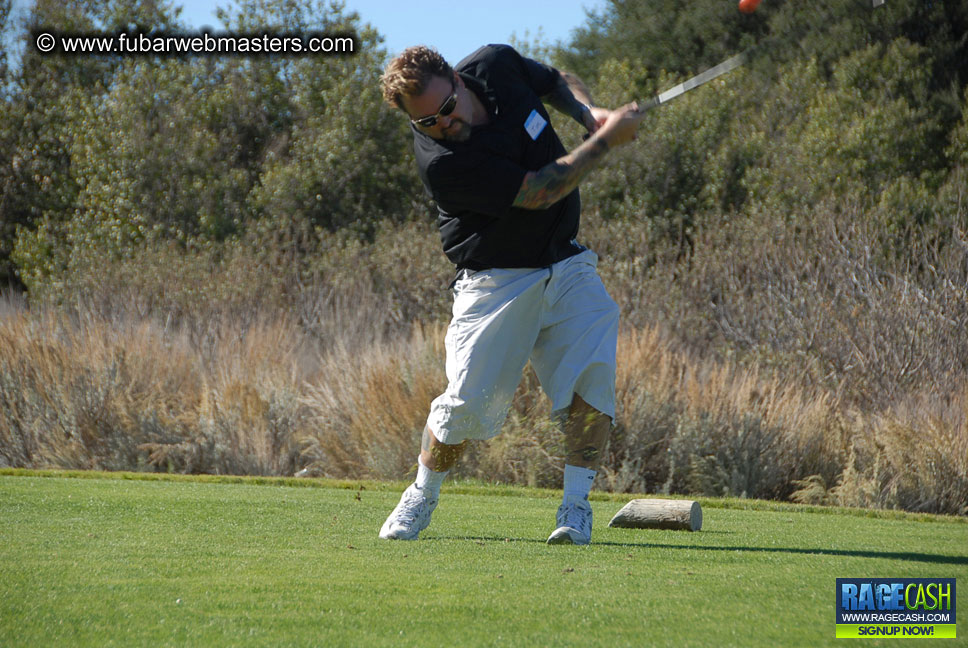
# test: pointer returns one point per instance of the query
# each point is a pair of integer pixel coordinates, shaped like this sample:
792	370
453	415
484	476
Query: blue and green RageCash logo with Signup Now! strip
896	607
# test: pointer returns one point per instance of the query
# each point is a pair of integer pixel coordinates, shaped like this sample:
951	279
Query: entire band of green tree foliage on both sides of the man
103	158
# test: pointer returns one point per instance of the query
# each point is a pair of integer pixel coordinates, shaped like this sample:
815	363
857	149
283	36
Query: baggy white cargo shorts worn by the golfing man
559	317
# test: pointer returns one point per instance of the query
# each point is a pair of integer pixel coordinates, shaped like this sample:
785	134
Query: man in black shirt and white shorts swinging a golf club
509	208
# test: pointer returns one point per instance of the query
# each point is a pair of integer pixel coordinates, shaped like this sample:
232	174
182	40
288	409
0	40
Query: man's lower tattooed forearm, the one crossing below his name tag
554	181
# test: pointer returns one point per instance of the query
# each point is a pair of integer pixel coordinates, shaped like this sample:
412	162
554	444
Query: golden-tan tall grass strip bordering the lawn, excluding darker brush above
85	392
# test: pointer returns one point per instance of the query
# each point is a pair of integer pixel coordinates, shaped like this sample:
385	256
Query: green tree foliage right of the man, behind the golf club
840	101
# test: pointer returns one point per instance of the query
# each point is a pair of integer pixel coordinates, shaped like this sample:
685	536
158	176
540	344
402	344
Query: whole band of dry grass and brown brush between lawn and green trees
779	359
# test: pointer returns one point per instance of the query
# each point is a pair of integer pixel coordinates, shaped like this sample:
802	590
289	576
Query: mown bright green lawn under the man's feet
114	560
